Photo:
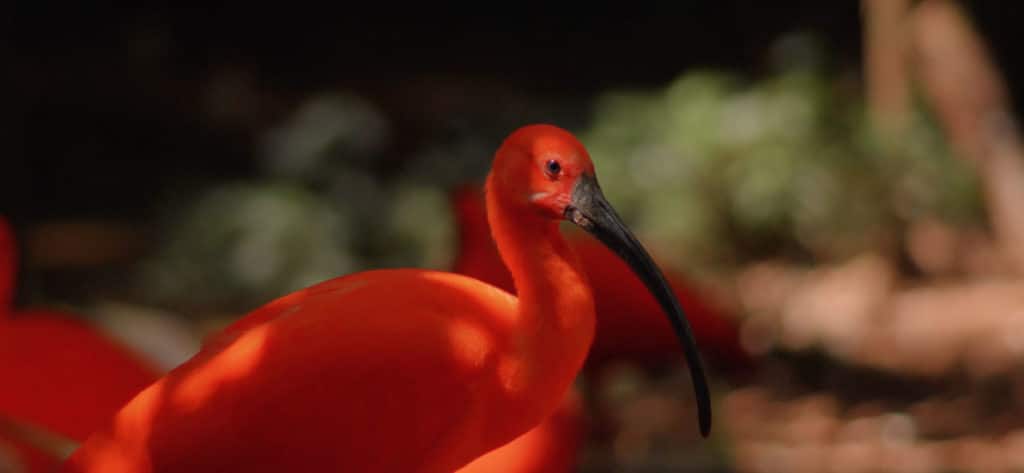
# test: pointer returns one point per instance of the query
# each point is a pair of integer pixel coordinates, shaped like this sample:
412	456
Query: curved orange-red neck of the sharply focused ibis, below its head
556	313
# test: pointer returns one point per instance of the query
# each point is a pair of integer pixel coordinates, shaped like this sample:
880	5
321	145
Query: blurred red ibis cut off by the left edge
58	372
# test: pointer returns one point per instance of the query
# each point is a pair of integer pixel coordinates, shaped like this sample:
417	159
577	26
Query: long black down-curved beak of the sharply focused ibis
592	212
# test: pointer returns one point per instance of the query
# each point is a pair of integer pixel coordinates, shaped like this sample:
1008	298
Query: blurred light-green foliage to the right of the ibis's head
715	171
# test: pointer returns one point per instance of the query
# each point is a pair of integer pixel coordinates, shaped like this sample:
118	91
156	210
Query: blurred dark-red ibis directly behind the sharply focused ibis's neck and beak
630	324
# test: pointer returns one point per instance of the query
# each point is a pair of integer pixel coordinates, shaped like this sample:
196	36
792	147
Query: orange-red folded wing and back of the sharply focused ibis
379	371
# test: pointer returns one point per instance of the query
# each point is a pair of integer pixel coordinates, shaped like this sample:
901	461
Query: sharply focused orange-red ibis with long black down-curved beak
401	369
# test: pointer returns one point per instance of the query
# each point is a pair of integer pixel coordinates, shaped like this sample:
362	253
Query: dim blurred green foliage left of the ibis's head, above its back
322	210
